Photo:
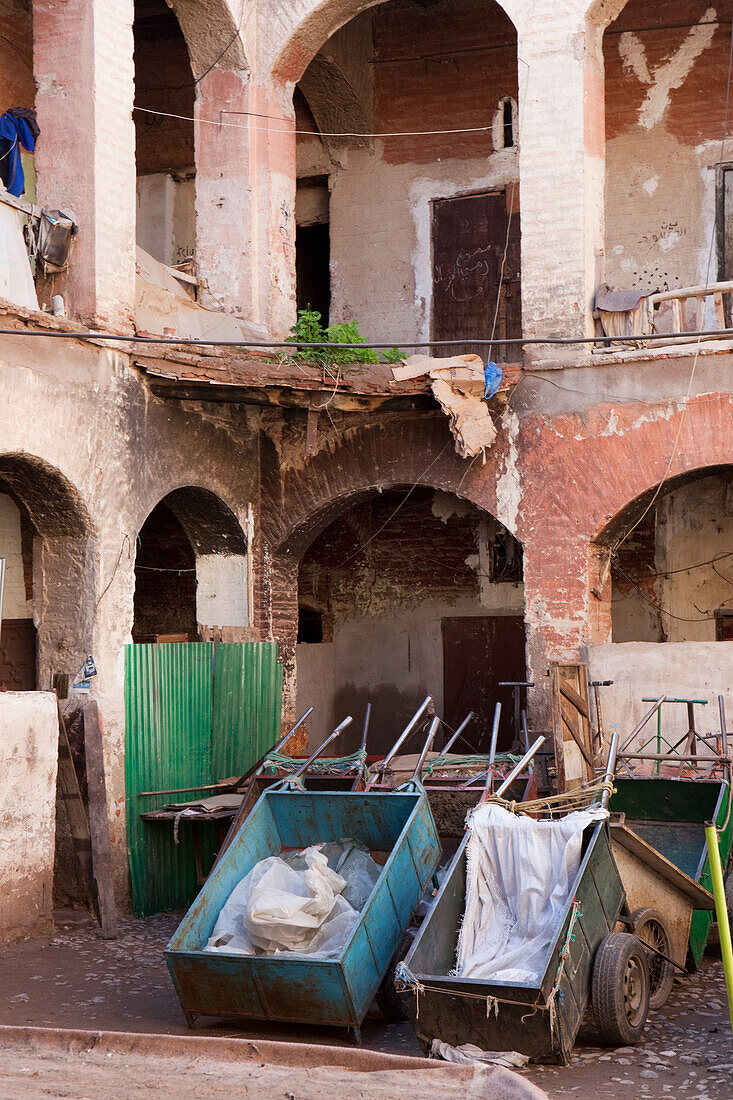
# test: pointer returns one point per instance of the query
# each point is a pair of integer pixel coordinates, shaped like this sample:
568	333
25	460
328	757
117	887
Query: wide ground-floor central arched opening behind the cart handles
410	592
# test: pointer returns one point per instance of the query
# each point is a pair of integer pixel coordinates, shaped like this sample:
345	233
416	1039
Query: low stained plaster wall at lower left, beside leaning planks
29	751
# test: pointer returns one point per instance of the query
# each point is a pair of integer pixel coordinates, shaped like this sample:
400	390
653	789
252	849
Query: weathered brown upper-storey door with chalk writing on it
476	292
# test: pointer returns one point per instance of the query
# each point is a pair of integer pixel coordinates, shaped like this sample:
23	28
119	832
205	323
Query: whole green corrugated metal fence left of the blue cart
195	713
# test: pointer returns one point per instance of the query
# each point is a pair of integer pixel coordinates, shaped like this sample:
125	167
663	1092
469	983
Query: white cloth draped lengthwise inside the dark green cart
519	877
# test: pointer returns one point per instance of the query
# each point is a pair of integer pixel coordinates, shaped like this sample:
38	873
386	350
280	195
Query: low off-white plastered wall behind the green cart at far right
683	670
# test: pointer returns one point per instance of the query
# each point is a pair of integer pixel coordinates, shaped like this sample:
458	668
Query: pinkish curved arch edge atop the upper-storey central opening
303	28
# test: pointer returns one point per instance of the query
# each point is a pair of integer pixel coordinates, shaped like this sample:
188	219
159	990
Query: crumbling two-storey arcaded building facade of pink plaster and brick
434	170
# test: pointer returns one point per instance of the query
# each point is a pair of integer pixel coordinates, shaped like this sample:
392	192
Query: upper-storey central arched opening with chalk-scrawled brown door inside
435	249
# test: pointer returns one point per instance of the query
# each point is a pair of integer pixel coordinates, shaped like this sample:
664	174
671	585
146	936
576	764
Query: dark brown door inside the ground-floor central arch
477	655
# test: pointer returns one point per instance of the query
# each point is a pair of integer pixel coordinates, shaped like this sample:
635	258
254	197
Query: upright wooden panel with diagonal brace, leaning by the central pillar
574	746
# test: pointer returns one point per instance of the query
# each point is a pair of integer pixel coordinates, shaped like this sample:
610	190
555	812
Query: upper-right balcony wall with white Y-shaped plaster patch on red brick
666	74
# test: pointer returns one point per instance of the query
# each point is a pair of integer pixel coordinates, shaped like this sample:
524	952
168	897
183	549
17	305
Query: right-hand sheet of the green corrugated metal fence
248	690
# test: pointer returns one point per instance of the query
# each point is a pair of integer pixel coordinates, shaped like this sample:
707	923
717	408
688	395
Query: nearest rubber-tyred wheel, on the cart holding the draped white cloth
620	989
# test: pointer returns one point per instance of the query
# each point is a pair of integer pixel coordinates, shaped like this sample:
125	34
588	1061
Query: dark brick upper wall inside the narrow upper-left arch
165	82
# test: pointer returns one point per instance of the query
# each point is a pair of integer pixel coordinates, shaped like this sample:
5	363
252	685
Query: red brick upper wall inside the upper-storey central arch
441	68
